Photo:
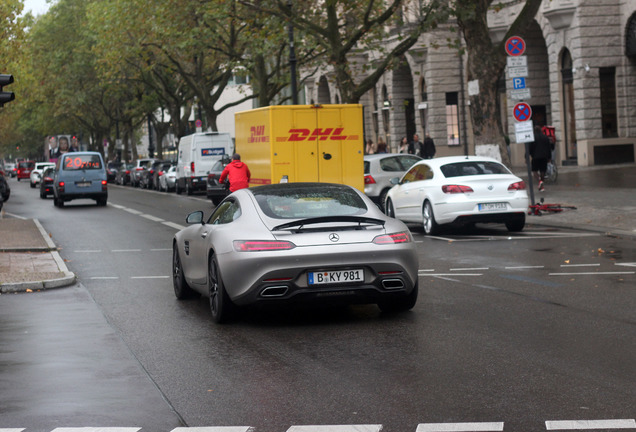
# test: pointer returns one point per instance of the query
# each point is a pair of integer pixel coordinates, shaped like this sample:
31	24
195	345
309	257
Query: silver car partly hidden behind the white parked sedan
380	168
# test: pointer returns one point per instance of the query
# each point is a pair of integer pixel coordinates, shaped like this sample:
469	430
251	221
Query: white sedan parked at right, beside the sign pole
459	190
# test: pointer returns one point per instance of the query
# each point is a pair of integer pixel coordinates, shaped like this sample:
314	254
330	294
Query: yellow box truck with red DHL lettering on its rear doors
302	143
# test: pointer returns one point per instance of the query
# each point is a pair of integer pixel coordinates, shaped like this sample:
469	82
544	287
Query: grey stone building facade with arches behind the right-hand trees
581	57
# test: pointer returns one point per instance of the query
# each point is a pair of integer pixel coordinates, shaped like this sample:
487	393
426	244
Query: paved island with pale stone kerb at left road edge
29	259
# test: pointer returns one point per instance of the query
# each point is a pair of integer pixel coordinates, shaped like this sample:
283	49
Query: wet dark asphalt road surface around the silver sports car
515	329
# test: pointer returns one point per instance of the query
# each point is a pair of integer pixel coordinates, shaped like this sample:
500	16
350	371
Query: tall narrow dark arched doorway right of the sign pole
569	115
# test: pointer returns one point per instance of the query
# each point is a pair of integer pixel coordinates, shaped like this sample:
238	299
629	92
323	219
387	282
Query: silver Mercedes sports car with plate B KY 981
295	242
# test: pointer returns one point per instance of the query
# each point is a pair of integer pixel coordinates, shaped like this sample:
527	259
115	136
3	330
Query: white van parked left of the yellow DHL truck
197	154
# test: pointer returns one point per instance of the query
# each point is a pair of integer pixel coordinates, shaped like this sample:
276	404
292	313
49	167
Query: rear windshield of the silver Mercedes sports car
300	201
